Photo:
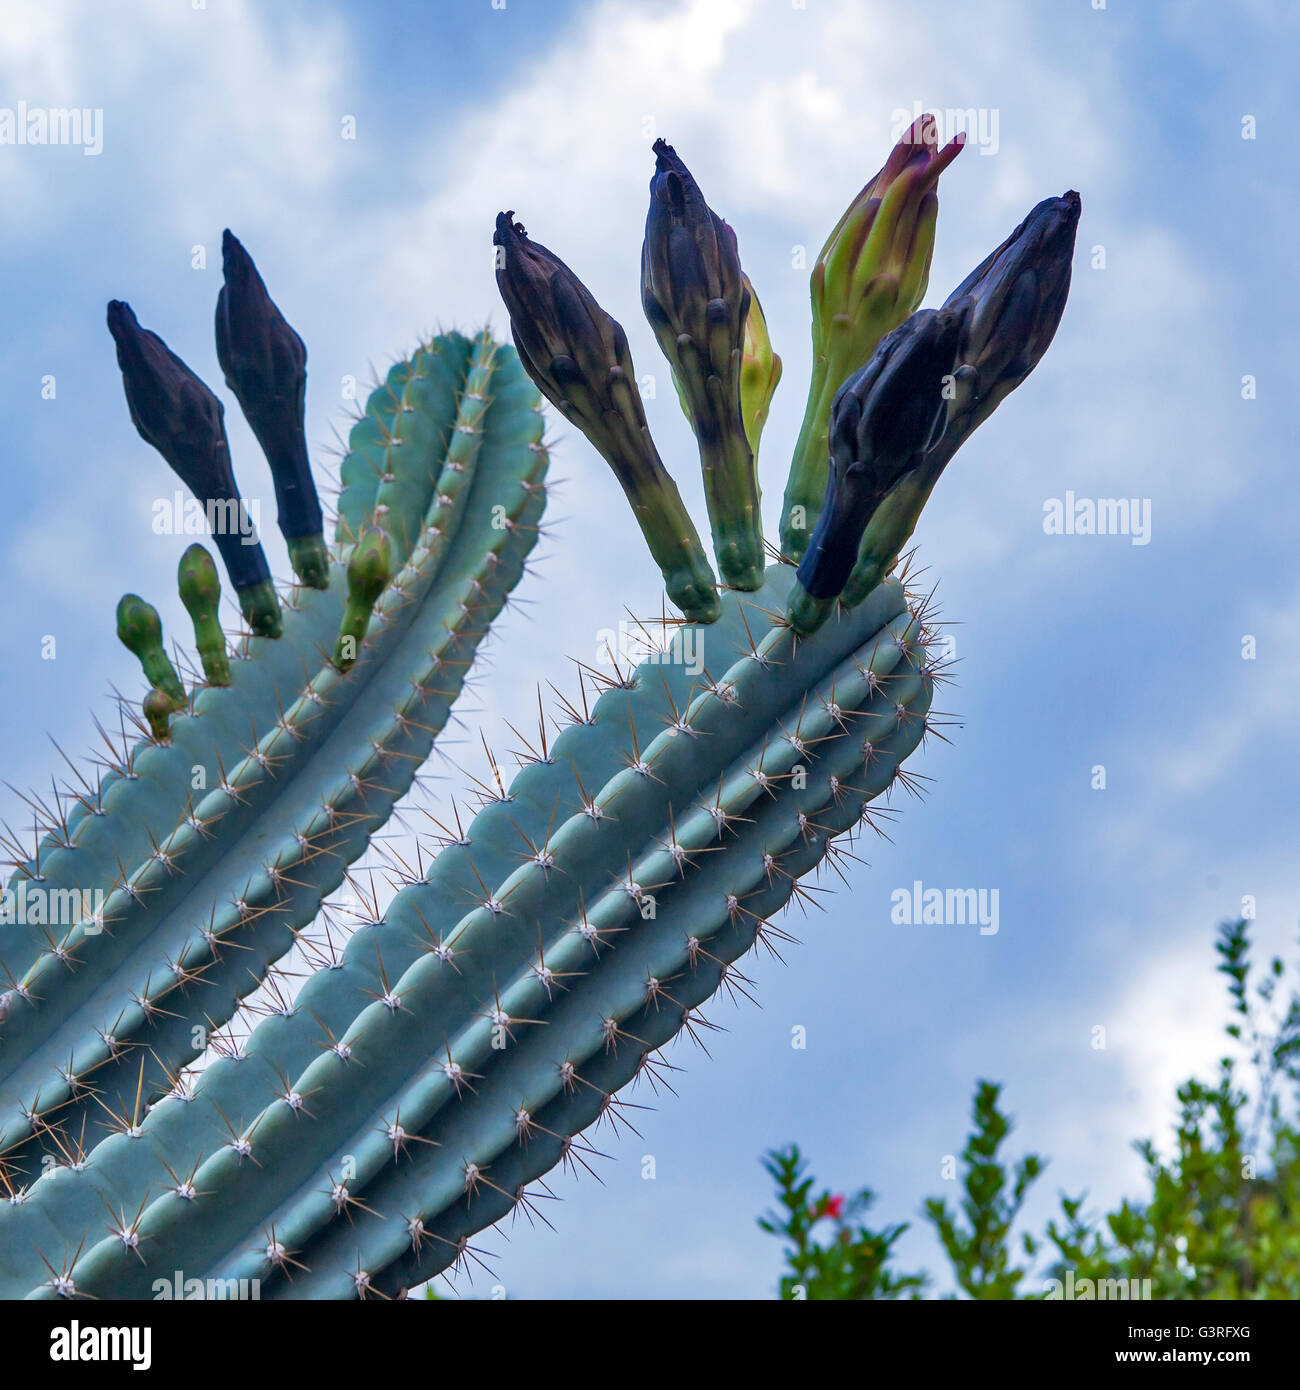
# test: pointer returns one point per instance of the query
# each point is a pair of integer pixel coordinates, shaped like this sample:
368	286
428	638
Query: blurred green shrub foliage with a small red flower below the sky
1220	1220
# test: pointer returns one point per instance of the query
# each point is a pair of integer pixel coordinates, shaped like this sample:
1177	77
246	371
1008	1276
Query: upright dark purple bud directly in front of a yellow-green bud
697	301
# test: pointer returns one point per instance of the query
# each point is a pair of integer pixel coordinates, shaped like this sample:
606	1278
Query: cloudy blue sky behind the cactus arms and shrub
1074	651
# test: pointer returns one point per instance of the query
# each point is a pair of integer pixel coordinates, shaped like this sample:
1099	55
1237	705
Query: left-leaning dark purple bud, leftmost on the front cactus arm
579	358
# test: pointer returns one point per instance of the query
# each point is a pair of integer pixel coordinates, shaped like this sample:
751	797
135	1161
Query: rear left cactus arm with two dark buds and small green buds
298	757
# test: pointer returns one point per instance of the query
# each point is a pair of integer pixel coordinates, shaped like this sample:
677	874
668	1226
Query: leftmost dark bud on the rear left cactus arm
177	414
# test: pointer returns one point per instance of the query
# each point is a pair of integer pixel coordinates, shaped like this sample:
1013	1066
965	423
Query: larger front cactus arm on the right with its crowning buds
475	1028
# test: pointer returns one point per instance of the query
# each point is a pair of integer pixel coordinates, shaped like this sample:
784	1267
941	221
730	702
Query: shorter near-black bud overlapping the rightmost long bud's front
884	420
